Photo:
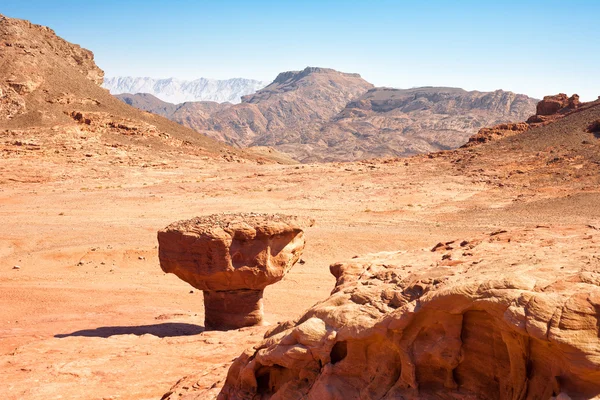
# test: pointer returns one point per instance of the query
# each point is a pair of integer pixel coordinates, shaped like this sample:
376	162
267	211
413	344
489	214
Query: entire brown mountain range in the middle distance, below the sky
319	114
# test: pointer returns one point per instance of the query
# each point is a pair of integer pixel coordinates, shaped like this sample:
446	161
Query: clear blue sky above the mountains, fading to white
531	47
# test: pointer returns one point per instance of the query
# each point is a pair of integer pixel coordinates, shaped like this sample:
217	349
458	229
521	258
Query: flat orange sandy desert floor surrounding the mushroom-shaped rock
90	314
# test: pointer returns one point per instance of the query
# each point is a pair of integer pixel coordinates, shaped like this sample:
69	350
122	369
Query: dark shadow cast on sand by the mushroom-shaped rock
169	329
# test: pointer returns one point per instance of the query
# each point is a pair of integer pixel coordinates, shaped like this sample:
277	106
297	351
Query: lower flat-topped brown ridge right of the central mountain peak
387	122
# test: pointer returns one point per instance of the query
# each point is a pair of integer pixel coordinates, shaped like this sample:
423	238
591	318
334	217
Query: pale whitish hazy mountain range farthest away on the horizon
179	91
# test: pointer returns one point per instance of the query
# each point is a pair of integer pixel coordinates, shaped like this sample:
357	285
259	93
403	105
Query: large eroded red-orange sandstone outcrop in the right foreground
508	315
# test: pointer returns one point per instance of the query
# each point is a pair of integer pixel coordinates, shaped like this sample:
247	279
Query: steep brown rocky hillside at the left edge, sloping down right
50	98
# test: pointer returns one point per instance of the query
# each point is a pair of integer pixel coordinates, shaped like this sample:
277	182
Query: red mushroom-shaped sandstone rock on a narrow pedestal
232	258
